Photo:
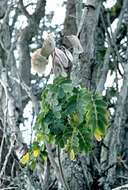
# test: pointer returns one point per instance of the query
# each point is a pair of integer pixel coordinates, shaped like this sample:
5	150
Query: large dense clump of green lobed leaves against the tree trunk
70	117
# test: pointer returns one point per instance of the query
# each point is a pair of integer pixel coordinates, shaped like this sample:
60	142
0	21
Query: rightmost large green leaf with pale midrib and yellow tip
97	116
